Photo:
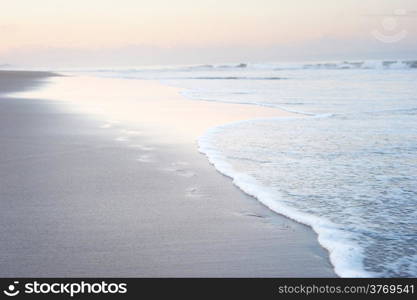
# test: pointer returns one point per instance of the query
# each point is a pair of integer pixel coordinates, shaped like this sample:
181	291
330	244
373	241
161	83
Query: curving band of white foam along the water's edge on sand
345	255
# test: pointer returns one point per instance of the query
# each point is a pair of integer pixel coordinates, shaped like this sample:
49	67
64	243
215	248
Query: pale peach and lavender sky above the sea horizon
132	32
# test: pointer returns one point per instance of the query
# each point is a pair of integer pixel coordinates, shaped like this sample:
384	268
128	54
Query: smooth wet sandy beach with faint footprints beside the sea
125	193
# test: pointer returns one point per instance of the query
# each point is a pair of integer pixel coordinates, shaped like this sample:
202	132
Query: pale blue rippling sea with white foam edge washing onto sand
345	164
